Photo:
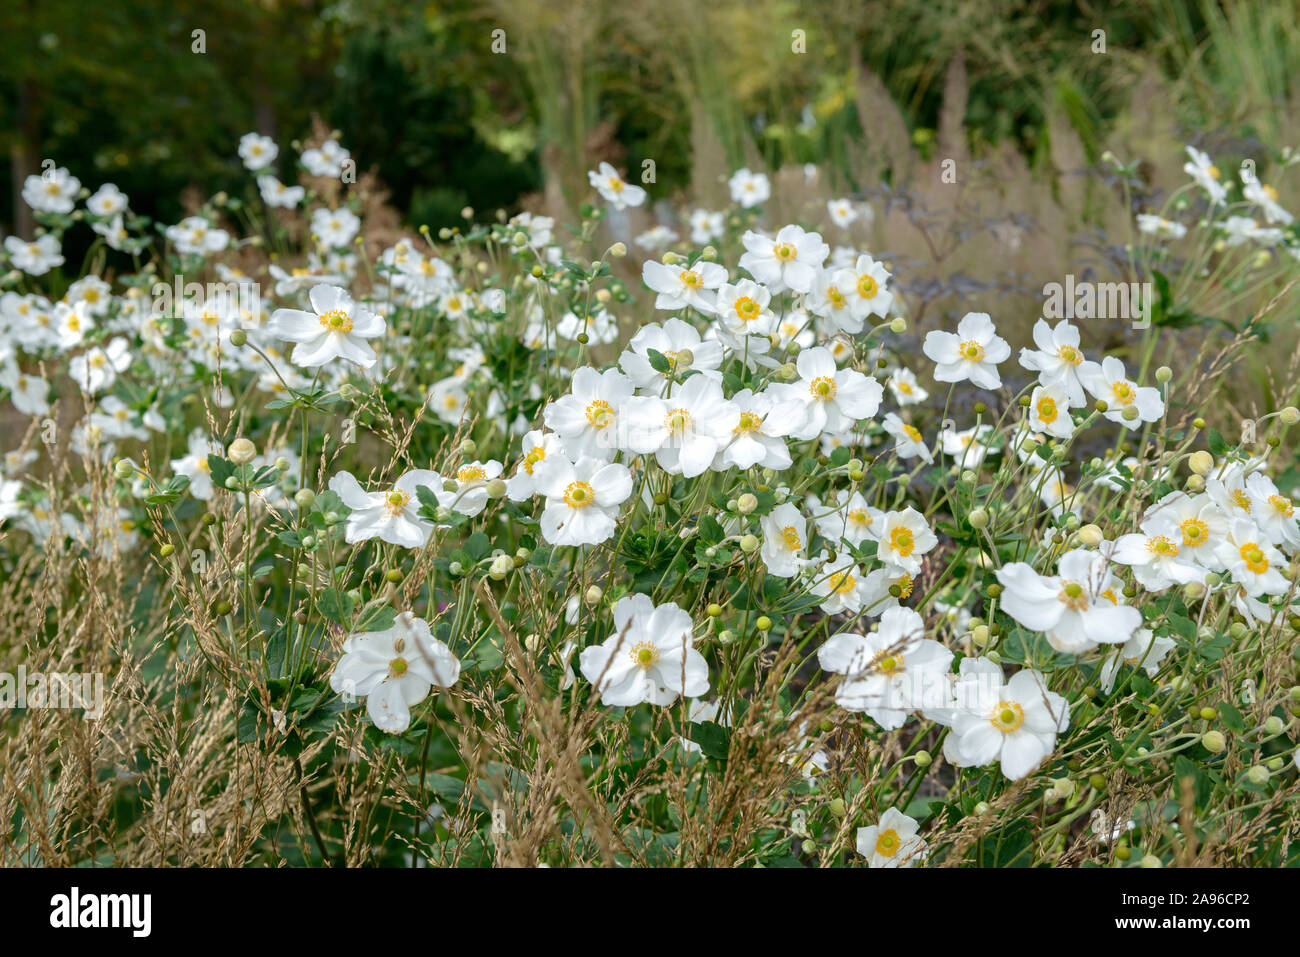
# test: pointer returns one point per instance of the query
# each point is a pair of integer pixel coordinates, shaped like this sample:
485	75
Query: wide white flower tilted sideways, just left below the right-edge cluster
1077	609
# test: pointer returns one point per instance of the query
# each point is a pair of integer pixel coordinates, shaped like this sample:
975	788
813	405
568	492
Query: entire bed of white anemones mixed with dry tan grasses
509	547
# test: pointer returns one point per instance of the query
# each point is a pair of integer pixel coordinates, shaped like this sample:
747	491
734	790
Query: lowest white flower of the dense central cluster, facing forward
582	500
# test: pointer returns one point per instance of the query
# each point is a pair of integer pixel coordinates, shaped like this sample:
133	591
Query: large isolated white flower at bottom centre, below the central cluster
651	657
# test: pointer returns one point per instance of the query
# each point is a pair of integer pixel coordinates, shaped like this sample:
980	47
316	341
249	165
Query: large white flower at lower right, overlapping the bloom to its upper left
1016	725
